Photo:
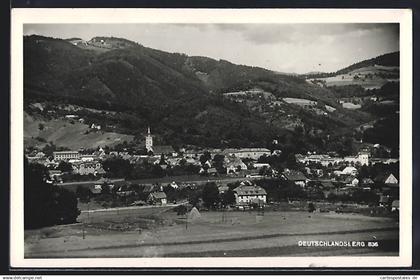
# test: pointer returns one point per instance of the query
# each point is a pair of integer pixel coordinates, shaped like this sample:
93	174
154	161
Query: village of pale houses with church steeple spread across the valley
169	176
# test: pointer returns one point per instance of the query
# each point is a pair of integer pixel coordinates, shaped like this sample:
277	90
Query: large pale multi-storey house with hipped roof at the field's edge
247	193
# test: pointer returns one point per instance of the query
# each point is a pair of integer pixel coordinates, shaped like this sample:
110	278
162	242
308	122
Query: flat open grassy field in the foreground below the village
159	232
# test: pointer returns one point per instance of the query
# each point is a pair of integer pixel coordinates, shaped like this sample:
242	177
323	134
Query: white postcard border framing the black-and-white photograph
22	16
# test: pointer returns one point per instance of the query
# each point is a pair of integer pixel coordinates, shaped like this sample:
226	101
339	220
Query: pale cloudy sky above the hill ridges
291	48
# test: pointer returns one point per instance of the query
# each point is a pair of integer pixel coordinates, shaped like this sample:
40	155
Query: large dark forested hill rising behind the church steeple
184	99
